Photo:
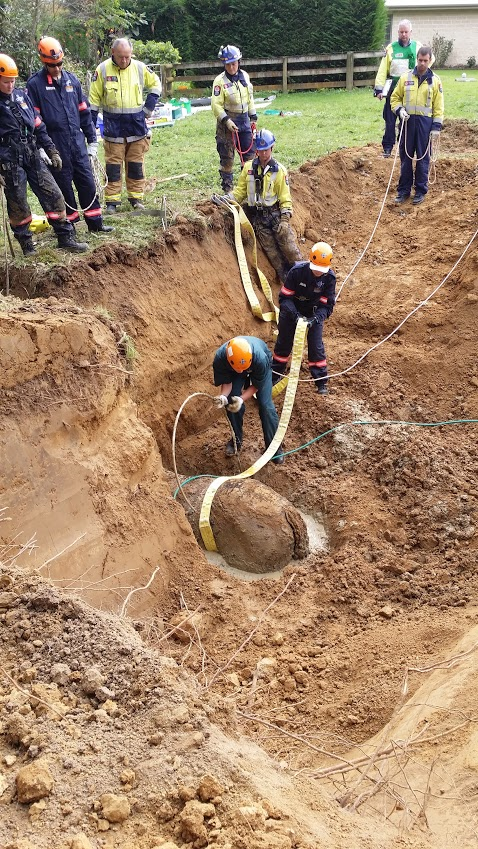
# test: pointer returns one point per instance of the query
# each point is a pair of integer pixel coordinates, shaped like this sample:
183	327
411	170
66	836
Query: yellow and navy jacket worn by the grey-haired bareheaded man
119	93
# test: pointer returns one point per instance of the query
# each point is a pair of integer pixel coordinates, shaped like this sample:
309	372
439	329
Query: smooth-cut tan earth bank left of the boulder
82	477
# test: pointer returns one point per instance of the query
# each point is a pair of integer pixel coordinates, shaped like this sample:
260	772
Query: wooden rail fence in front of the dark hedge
284	73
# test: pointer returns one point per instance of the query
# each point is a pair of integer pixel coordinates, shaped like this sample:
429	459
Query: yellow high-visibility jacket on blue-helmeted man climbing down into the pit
273	181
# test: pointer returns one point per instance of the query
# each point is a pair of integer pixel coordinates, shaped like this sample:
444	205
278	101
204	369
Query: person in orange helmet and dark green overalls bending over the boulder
243	368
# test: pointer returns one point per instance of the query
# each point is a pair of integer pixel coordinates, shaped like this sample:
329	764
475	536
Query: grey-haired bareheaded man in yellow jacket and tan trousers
117	88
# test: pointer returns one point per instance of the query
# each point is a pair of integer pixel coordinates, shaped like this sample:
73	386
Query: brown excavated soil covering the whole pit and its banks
211	707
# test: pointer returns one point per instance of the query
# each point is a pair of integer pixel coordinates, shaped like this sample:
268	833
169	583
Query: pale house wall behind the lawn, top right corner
459	24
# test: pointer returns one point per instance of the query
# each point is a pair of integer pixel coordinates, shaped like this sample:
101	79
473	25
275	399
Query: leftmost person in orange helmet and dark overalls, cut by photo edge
21	130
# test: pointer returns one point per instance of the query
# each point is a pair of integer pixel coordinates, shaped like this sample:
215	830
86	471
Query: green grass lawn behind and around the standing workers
328	119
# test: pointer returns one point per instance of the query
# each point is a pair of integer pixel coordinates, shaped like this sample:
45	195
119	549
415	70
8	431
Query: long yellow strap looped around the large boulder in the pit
292	381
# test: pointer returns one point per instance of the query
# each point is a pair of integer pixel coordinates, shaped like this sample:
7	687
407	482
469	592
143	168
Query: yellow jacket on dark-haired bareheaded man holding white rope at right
425	100
